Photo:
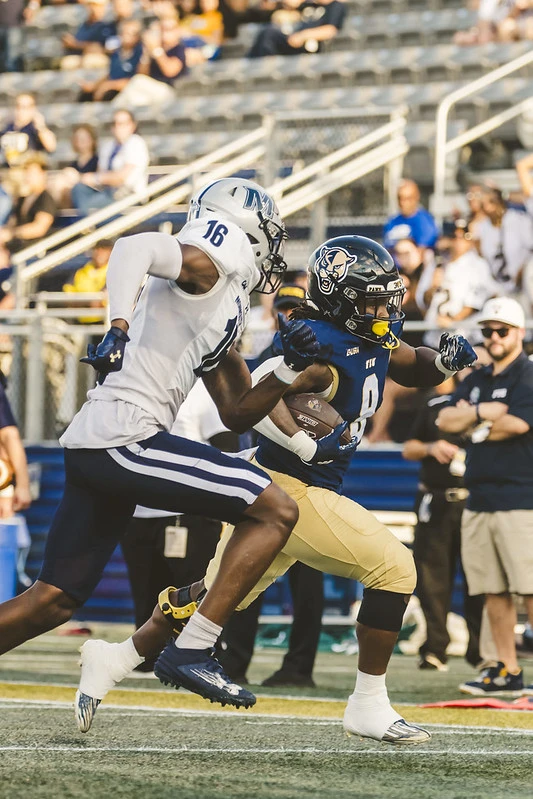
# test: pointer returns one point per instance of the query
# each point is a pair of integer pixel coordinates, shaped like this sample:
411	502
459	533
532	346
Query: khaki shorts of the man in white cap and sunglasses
497	552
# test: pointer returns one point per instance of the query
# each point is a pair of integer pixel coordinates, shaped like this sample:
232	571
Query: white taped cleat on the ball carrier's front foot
381	723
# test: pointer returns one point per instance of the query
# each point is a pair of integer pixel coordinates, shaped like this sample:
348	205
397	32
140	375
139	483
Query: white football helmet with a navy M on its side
249	206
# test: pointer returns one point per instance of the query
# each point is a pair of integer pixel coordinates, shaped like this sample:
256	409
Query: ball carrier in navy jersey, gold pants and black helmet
354	308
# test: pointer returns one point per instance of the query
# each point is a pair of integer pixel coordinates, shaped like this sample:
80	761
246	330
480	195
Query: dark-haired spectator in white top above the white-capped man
505	241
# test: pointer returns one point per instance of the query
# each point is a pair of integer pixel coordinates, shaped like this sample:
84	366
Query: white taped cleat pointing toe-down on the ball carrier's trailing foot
95	681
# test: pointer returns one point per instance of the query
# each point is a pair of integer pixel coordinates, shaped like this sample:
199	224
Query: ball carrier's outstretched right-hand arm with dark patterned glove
422	367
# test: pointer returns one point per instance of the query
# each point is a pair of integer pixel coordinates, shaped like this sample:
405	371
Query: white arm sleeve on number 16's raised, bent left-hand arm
132	258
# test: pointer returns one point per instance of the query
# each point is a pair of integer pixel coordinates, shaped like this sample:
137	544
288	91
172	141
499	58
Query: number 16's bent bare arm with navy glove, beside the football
239	404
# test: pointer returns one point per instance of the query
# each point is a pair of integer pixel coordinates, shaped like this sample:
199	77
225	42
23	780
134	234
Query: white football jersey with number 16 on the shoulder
175	337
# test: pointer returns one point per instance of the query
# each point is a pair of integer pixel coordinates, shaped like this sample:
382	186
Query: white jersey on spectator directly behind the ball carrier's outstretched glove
467	283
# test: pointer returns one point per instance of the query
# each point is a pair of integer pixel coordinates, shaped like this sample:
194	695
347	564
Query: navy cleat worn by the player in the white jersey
199	671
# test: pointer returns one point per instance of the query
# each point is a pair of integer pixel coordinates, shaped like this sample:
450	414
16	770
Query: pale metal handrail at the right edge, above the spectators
444	146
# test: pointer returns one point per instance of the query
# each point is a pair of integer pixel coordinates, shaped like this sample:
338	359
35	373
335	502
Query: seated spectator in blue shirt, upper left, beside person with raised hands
123	64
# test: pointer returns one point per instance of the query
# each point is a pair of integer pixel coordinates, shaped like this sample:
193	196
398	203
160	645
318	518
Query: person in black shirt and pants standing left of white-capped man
439	507
